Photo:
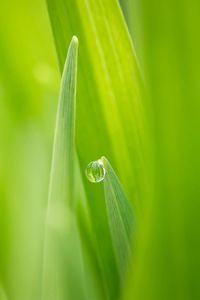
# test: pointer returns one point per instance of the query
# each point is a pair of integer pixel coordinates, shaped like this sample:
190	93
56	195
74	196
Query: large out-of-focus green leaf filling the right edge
168	260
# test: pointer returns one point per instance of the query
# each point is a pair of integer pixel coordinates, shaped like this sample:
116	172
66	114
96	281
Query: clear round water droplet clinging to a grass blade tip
95	171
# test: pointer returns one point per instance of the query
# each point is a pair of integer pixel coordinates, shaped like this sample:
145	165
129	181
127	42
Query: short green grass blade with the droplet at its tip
120	217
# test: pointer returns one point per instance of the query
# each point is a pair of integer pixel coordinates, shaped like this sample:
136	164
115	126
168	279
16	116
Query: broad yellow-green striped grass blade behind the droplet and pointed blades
109	108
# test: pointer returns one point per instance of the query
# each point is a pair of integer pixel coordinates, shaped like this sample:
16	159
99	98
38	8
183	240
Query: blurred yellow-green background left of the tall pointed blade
29	83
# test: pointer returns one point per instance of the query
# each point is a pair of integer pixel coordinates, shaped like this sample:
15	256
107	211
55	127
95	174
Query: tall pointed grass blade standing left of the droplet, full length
62	275
